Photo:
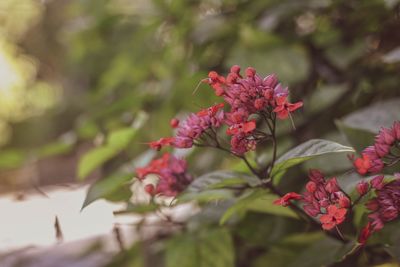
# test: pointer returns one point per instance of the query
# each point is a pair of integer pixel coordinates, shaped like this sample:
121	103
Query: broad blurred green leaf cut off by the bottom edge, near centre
207	248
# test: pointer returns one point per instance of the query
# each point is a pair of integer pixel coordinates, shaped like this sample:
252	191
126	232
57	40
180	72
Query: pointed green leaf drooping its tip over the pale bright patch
104	187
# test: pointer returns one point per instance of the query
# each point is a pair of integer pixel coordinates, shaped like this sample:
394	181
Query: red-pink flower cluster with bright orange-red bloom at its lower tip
323	198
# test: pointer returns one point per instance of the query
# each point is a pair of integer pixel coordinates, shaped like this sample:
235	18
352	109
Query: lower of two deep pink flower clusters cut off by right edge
384	207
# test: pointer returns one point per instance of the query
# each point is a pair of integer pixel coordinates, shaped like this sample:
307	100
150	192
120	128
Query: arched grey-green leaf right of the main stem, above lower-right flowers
308	150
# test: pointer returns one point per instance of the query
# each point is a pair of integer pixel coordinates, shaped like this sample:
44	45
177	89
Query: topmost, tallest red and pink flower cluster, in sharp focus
248	96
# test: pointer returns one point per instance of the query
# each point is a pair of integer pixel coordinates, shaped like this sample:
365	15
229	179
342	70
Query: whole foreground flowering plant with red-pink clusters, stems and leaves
246	122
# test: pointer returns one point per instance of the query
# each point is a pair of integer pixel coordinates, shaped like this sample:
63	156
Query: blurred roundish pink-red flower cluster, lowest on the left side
171	172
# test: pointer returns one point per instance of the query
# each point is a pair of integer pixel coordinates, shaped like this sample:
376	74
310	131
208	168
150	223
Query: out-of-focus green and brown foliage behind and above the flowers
74	72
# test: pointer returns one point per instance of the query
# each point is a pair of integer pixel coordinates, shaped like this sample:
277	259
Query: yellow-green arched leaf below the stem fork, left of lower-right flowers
256	200
